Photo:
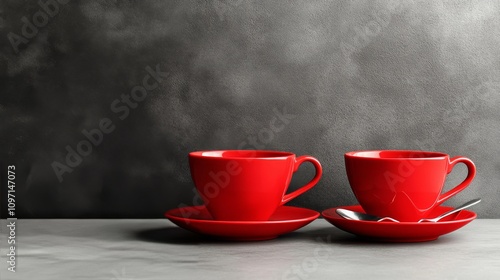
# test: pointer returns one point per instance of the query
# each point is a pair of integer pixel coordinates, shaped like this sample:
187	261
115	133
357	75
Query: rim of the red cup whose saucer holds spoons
374	155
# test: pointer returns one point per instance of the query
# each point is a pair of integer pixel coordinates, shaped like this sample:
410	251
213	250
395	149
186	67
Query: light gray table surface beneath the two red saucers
157	249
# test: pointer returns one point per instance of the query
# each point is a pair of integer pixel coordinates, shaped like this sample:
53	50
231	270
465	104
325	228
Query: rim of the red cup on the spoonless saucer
217	154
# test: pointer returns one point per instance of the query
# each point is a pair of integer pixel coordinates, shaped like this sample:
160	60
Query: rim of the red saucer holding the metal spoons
338	217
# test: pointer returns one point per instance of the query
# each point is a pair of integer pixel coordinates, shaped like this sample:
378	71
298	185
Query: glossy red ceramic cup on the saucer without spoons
246	185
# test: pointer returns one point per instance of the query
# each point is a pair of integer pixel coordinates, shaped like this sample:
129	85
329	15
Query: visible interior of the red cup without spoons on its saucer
238	154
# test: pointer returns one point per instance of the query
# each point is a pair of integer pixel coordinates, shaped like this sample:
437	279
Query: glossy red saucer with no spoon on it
286	219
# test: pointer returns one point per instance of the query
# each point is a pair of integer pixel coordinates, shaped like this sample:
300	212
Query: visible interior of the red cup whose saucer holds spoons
395	154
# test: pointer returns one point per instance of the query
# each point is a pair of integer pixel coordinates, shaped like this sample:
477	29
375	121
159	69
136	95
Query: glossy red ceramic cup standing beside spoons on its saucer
404	185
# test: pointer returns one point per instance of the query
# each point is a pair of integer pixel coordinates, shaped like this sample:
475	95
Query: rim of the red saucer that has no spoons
313	216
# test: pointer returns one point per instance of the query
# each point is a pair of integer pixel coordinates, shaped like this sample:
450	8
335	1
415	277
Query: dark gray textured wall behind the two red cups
347	75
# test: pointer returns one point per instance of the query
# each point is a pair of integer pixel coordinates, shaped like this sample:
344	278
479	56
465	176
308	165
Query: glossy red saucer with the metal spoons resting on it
400	232
